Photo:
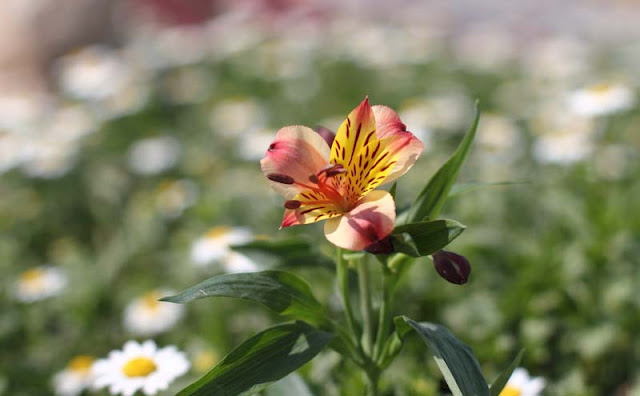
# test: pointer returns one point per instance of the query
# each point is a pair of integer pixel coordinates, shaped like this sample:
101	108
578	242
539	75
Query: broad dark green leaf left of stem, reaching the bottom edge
264	358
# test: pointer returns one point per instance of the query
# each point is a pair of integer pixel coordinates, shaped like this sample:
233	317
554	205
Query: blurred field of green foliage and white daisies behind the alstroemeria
130	134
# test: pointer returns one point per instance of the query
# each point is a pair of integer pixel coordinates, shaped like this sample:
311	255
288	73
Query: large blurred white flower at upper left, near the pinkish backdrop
92	73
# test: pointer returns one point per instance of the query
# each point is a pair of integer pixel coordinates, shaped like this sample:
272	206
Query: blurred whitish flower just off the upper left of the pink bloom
236	116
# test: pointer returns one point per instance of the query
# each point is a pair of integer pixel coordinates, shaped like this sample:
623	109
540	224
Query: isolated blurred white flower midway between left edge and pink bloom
154	155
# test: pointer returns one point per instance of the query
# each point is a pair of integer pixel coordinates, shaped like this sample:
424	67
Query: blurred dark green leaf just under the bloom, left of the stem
287	252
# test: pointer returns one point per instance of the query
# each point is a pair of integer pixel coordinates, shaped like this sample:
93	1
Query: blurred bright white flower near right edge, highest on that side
601	99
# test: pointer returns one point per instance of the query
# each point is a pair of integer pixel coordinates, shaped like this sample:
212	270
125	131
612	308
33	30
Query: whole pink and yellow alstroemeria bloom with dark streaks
372	147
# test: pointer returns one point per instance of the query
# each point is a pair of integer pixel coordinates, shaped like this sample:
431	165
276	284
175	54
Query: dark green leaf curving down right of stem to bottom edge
456	360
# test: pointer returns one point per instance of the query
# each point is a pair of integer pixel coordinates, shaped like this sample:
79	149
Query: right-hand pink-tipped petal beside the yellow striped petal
404	143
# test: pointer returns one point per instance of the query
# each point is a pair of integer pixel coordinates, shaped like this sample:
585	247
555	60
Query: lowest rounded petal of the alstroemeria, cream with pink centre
373	219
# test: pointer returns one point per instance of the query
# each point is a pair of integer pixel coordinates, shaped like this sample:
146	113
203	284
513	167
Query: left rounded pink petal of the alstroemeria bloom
297	152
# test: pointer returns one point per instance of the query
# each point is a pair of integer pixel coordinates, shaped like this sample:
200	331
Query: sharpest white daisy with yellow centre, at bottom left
141	367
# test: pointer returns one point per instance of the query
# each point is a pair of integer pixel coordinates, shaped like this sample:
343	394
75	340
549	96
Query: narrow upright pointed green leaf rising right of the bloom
435	193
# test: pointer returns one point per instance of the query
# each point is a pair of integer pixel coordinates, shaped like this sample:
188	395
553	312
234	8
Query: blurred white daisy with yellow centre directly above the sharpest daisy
148	316
